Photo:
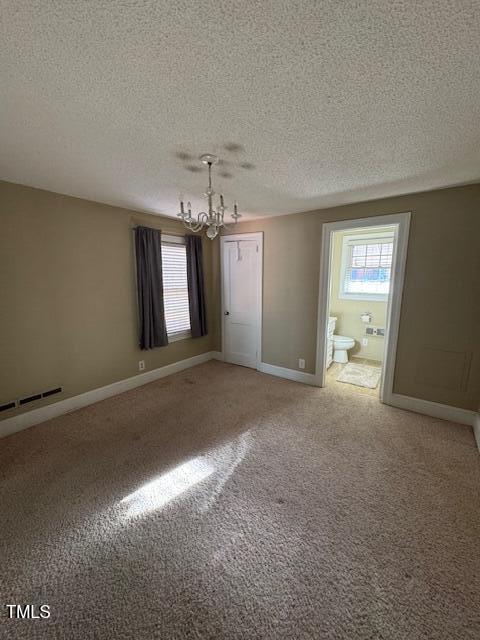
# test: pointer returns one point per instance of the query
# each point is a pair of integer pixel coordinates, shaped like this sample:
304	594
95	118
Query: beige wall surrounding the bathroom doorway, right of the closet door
438	356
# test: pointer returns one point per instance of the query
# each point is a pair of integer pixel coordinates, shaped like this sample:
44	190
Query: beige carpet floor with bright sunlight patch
224	503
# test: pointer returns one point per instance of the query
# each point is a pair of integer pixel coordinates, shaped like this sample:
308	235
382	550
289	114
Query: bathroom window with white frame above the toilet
366	266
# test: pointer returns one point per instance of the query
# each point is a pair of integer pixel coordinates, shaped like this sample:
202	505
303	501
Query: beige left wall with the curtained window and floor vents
68	310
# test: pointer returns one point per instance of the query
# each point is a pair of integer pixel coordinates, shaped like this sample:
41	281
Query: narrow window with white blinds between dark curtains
175	287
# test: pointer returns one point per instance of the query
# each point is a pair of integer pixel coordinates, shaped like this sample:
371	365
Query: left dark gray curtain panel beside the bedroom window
151	314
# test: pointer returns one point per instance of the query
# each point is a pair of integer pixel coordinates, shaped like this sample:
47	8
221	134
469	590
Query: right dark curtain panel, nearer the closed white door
196	288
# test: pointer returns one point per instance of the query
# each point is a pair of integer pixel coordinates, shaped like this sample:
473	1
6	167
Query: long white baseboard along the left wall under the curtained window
30	418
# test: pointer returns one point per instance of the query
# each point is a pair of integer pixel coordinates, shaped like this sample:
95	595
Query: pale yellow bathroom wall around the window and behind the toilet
348	311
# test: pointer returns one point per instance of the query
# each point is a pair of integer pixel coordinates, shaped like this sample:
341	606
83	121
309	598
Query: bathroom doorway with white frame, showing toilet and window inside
361	285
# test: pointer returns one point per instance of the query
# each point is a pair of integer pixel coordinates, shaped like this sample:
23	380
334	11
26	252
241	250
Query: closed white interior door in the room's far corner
242	286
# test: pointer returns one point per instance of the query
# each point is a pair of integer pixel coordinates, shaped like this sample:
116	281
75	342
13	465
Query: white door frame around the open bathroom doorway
402	223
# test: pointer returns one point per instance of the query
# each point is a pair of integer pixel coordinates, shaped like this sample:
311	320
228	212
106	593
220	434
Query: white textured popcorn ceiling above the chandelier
322	102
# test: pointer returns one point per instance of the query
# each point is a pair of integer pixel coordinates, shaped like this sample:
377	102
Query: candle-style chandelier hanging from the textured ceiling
214	219
